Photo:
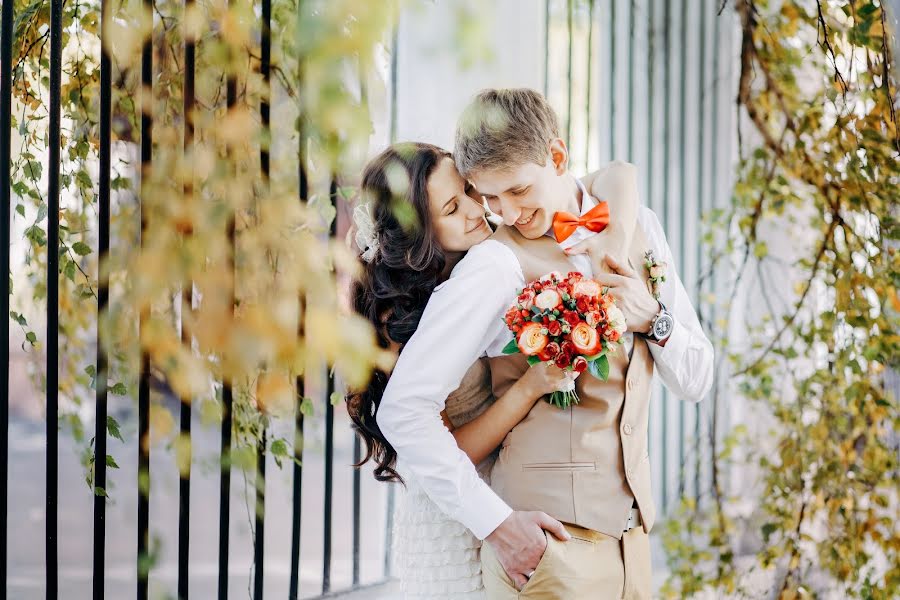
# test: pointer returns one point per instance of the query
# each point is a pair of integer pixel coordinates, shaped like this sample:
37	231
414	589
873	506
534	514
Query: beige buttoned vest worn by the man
582	465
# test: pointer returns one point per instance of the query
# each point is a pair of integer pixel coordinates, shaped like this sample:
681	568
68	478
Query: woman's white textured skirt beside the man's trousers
436	557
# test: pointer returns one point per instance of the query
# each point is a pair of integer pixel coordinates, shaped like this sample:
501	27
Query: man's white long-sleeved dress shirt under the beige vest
464	321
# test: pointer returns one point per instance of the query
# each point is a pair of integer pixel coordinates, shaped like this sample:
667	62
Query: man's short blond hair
502	129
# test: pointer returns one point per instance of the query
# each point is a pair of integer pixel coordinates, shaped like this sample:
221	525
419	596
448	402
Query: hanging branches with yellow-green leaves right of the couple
819	455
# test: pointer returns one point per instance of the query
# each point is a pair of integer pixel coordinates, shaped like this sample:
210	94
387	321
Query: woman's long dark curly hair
395	285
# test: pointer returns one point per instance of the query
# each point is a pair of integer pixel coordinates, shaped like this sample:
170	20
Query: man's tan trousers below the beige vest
591	565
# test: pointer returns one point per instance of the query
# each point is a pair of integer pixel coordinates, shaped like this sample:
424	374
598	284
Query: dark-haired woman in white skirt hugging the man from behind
410	244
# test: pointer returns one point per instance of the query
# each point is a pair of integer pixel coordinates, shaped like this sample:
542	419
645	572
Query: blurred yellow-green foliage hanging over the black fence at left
221	268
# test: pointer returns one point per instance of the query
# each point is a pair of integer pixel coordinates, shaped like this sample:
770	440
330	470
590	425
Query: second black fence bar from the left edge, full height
52	468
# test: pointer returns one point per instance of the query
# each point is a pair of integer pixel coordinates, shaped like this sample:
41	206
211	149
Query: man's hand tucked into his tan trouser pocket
519	542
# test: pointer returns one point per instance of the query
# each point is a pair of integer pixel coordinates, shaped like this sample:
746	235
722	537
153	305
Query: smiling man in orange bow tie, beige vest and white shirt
582	474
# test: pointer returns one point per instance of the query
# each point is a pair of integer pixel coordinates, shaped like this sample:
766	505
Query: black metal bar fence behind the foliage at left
100	533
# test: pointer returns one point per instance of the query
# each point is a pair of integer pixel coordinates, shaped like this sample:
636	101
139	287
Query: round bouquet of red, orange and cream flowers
570	321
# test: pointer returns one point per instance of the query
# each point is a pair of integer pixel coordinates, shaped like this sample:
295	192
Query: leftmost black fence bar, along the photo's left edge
6	28
